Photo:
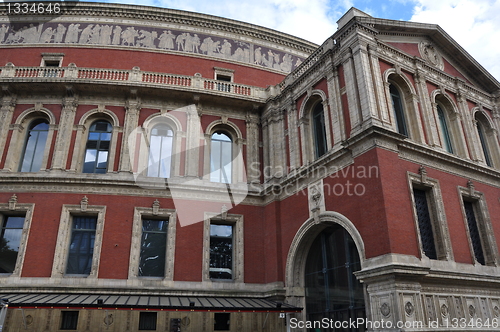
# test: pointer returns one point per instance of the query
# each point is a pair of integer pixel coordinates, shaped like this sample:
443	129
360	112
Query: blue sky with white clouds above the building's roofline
474	24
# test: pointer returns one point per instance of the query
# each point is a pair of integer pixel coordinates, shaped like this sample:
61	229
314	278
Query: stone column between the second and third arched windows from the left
132	108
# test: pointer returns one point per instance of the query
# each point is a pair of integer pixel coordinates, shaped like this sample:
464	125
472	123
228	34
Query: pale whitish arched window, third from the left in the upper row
160	151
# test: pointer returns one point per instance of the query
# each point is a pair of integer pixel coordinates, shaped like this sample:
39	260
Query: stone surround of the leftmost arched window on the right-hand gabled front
409	101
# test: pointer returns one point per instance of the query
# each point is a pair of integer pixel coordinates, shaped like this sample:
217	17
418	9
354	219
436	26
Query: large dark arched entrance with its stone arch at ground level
324	255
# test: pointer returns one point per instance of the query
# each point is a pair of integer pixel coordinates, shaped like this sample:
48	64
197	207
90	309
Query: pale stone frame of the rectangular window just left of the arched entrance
236	221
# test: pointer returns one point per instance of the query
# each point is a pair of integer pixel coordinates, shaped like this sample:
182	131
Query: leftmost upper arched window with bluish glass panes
35	146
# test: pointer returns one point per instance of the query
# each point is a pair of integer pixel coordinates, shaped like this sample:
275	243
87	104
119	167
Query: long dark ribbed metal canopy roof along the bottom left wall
191	303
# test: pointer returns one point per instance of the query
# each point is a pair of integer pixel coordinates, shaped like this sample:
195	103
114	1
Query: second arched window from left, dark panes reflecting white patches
97	149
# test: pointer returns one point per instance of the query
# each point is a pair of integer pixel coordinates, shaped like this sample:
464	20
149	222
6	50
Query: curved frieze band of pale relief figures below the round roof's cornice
98	34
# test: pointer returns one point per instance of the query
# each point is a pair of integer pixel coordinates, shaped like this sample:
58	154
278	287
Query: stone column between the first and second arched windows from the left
63	138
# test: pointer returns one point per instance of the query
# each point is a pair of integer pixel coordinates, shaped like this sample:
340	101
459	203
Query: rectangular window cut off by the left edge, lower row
12	230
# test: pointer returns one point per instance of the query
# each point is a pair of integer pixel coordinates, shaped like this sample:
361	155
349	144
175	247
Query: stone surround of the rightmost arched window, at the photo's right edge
482	120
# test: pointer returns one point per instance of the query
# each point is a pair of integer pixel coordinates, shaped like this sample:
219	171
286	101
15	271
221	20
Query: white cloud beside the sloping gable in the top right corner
474	24
